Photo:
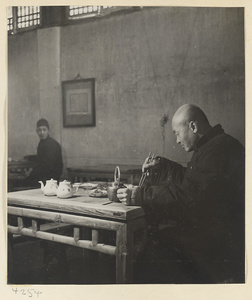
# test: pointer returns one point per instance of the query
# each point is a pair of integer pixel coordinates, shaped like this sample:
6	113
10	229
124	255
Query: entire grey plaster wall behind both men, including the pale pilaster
146	64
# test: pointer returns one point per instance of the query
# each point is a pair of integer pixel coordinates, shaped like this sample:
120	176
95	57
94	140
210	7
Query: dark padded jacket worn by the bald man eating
207	198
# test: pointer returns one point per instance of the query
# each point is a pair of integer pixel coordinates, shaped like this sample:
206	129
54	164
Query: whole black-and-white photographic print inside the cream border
126	145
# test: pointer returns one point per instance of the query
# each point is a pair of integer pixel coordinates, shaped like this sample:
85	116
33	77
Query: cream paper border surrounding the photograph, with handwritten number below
138	292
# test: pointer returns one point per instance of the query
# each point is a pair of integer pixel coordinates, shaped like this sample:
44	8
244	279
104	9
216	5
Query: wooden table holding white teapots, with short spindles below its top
128	223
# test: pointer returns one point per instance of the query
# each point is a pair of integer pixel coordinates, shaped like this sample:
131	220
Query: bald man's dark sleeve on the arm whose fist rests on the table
198	180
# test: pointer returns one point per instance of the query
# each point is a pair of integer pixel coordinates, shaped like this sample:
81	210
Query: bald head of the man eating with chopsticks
189	124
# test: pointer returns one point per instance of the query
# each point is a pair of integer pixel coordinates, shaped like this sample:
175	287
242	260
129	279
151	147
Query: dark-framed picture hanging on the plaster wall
78	102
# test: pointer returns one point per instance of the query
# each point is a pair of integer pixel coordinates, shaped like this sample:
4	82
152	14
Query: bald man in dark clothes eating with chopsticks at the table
206	199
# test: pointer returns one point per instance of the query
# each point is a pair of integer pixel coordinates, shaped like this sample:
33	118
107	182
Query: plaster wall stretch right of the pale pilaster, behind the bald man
147	64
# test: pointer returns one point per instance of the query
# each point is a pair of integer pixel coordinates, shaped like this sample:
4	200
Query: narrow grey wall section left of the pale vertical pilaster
23	94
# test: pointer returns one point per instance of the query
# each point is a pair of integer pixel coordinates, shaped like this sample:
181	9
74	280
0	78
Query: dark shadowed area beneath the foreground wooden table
64	264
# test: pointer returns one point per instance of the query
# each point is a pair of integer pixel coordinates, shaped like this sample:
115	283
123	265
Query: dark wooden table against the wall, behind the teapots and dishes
129	173
